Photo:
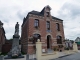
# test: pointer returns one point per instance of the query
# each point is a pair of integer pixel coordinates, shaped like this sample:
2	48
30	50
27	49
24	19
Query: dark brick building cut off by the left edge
2	36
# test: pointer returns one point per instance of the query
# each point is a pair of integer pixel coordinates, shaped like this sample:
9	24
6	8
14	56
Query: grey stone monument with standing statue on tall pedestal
15	51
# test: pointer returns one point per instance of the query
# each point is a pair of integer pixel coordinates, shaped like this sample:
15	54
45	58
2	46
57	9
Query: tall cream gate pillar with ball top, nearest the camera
38	50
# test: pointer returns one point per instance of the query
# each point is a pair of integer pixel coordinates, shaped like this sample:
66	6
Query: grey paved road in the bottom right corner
75	56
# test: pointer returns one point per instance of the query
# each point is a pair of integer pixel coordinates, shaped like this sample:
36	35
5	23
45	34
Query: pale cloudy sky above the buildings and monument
12	11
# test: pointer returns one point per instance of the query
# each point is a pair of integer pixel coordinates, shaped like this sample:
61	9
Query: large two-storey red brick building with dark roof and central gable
43	26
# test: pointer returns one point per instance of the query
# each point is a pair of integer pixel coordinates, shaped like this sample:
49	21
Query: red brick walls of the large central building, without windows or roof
28	30
